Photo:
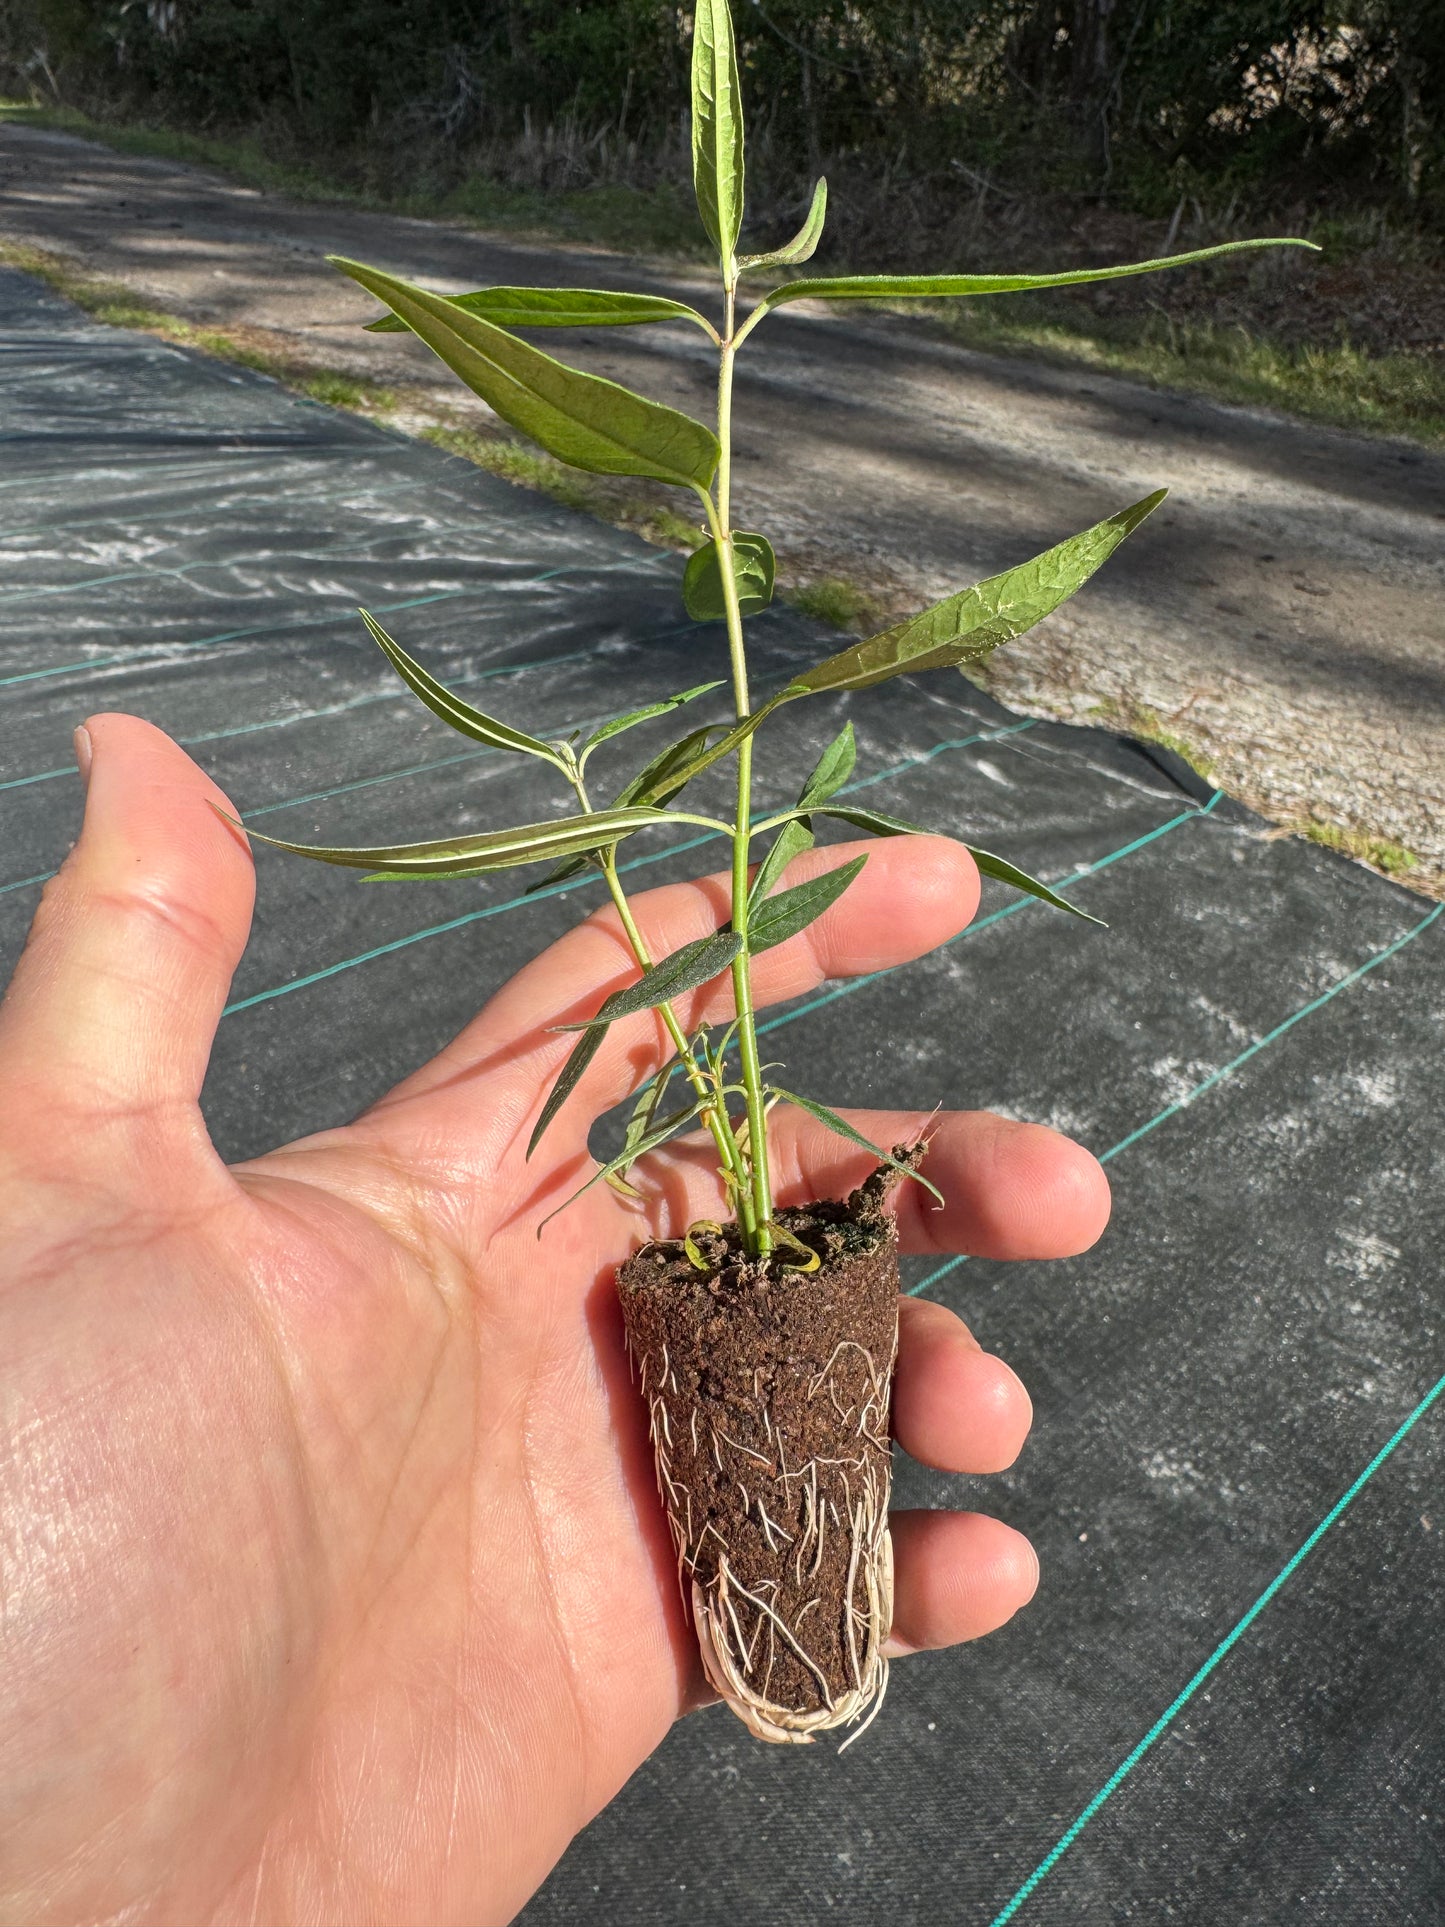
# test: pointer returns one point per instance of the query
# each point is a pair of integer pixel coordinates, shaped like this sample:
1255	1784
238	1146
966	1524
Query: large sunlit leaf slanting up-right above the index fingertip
974	623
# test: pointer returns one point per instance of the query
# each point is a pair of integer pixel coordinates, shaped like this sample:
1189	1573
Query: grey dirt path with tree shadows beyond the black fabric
1282	616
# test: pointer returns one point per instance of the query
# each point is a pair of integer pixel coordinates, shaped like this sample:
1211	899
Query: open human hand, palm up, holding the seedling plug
336	1579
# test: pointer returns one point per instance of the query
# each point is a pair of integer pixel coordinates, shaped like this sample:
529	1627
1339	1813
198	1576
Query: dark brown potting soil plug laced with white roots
768	1394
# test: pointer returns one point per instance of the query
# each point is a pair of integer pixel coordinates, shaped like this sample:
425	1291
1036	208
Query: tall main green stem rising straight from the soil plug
752	1076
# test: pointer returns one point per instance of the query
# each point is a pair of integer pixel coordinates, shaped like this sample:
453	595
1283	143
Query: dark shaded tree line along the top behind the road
1118	97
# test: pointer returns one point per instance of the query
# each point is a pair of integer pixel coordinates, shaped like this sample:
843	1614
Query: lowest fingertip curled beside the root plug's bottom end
957	1577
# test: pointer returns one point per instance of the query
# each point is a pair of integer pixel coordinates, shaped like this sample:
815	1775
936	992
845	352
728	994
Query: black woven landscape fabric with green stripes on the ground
1255	1043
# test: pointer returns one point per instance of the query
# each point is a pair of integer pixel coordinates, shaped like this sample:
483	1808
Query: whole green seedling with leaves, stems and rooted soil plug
764	1348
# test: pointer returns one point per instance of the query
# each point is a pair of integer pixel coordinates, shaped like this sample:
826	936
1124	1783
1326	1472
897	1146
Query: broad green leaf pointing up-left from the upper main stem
577	417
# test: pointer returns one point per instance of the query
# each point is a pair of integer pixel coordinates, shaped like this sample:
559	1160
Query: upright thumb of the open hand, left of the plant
117	999
